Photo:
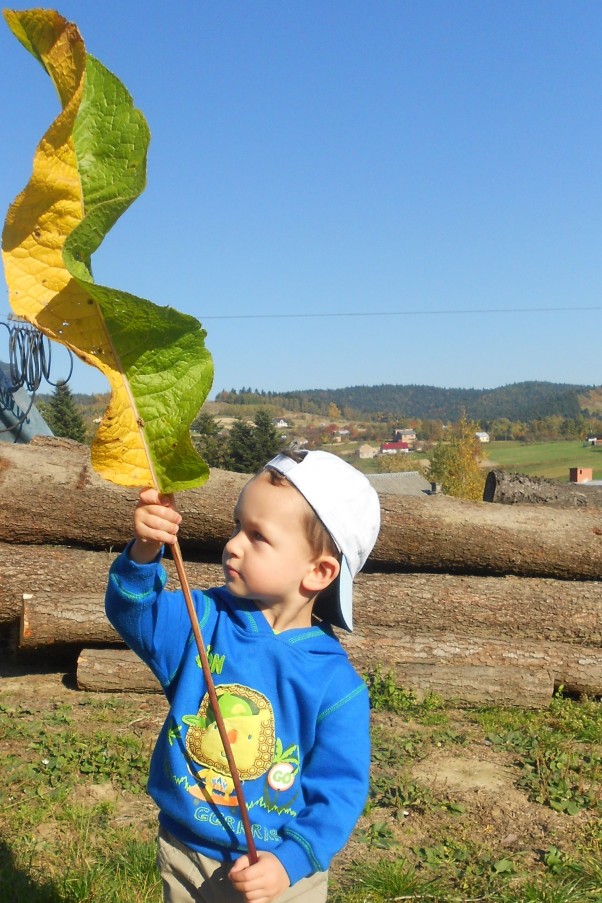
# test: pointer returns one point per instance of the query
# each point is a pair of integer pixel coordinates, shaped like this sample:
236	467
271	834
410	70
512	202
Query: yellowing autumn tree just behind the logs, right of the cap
455	463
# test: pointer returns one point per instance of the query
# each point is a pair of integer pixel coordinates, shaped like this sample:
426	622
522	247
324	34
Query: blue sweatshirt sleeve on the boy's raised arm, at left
153	622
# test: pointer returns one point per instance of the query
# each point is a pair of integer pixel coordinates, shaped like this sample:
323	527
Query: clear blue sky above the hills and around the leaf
421	181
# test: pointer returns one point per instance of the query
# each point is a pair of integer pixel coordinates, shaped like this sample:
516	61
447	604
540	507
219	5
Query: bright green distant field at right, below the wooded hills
543	459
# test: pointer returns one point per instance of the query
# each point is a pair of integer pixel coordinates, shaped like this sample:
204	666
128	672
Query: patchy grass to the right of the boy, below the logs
556	754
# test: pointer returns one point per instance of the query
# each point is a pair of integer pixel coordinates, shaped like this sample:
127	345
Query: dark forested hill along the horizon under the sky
525	401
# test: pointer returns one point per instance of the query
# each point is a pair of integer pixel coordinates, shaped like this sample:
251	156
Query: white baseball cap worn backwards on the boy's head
348	506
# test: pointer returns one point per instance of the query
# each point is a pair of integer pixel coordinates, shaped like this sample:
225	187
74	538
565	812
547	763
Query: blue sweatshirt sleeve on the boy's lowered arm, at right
335	780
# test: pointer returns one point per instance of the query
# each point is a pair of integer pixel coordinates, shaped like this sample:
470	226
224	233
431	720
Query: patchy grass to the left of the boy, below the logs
66	768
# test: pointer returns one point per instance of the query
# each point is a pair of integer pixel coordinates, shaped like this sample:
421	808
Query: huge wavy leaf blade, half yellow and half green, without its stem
88	168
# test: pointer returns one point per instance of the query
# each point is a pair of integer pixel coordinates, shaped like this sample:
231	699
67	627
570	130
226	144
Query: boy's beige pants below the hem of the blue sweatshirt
190	877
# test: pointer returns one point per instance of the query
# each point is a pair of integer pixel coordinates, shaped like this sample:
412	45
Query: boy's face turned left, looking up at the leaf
268	555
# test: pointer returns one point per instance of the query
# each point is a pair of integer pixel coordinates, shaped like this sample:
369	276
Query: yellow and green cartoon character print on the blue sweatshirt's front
249	721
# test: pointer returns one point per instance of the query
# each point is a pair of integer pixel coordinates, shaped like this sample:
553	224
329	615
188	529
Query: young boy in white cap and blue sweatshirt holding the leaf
296	712
